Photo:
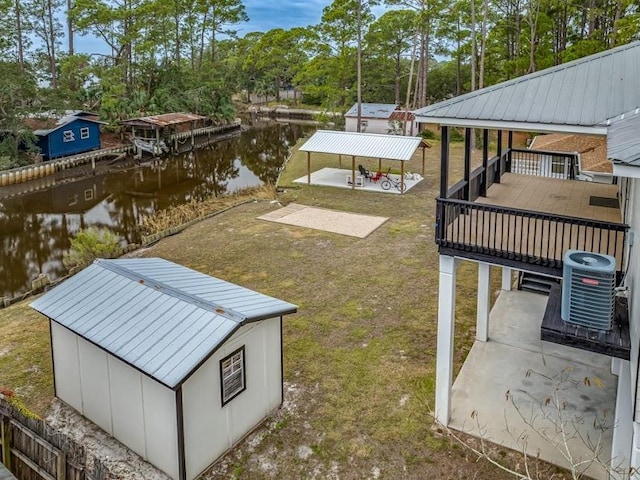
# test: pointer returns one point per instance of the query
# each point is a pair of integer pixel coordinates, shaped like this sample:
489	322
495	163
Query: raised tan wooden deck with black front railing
534	221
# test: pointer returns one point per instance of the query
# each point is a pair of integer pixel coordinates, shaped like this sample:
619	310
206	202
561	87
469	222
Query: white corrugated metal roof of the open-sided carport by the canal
388	147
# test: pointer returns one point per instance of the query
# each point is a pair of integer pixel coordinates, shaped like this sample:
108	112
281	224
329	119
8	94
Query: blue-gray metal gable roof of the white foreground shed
162	318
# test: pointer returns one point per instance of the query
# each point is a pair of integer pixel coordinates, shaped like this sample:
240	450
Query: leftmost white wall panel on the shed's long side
66	367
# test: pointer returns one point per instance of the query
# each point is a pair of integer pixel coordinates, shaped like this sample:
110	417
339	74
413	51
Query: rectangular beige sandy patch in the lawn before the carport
343	223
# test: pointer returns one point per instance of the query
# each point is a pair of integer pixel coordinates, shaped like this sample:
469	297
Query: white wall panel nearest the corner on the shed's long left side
160	426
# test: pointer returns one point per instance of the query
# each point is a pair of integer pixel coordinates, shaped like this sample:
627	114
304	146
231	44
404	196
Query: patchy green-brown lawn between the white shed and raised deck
361	350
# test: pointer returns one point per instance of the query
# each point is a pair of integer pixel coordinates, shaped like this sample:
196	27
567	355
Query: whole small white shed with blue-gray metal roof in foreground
177	365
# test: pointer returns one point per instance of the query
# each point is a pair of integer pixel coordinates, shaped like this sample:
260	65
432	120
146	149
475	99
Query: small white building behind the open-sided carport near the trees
380	118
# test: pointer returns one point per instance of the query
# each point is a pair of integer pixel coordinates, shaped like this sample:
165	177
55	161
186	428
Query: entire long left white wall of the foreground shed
136	410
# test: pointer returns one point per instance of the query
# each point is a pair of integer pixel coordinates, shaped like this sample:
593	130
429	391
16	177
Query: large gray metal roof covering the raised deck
578	97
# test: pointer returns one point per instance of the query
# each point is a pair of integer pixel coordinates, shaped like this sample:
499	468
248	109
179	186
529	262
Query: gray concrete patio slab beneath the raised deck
547	400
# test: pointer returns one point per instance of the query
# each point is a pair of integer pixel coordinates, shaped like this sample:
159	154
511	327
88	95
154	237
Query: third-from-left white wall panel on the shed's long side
126	403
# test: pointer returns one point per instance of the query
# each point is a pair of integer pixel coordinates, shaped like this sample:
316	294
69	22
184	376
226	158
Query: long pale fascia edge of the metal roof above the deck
514	126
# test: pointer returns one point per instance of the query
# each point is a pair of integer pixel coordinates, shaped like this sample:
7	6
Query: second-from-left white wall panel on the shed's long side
94	378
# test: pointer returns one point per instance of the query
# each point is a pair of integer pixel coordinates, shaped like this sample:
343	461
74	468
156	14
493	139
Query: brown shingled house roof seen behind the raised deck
592	149
